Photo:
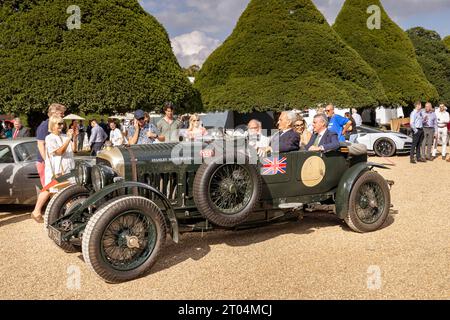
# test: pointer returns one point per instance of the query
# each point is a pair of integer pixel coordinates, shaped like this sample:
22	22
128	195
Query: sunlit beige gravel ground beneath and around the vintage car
316	258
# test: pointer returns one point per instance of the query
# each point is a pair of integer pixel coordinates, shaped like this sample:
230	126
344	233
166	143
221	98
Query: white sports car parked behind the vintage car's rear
383	143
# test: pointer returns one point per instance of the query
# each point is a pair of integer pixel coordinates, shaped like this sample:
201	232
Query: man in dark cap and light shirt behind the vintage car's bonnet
142	132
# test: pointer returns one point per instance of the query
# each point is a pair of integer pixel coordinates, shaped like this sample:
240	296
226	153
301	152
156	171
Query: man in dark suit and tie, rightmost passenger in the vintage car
322	139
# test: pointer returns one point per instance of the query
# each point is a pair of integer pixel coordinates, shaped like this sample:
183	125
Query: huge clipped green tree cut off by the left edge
120	59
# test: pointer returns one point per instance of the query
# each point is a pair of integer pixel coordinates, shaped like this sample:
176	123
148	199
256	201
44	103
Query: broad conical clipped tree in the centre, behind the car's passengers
283	54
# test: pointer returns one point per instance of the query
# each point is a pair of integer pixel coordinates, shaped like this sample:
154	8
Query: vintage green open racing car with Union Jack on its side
123	207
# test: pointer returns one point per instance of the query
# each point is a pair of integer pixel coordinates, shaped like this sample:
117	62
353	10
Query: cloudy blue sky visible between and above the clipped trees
197	27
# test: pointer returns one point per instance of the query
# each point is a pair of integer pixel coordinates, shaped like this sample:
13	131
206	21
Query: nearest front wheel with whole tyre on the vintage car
124	238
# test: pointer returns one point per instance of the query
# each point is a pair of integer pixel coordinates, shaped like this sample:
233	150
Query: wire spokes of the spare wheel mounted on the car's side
231	188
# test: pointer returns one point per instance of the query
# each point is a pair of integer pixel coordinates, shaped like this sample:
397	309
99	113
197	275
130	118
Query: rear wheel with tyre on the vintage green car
369	203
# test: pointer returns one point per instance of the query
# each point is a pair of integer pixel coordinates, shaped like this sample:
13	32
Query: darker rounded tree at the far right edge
434	57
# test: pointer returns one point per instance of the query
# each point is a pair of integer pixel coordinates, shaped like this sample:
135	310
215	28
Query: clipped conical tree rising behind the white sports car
388	50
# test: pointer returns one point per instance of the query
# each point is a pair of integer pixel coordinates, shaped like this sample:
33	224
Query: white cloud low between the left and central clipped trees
193	48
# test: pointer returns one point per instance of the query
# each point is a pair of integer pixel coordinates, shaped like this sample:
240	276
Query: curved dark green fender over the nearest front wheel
130	185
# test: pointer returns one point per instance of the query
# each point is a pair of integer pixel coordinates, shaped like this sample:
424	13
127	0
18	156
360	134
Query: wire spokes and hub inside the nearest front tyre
128	240
